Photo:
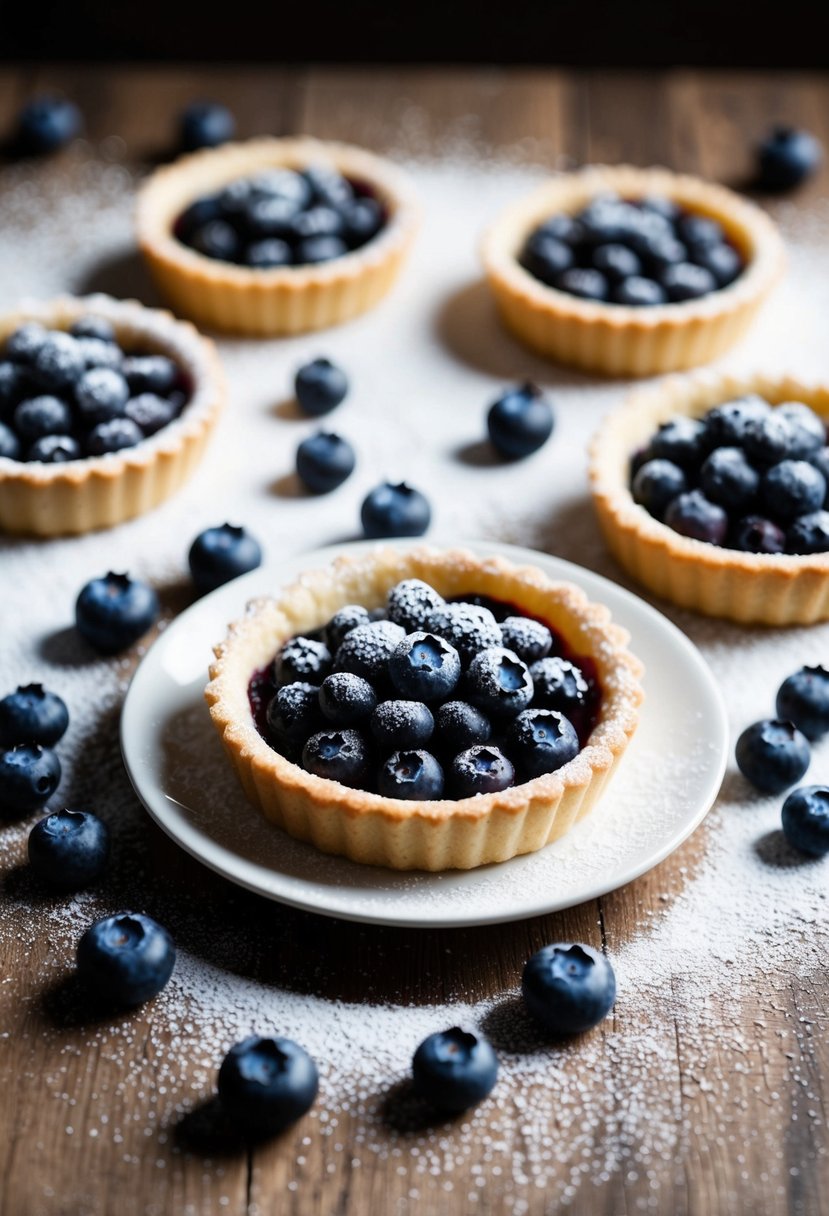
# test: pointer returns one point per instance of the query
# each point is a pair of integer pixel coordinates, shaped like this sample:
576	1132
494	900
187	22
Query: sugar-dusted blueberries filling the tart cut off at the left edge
69	396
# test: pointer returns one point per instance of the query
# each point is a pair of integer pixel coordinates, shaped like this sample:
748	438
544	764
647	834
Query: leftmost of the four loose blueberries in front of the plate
126	959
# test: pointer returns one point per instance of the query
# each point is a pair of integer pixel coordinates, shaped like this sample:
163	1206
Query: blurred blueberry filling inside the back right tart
636	254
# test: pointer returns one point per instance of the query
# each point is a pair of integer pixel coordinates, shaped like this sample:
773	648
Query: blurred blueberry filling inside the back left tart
283	218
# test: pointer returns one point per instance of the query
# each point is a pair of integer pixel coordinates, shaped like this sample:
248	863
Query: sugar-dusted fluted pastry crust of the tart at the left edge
99	492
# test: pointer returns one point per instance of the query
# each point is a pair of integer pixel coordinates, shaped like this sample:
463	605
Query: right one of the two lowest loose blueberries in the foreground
455	1069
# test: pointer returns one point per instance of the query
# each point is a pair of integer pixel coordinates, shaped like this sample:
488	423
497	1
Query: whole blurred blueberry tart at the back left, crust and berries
277	235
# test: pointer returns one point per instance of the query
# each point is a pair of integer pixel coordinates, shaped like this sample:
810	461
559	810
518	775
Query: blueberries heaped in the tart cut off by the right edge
747	476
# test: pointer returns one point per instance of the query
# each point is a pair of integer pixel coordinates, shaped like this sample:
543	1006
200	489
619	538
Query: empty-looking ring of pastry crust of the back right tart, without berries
613	339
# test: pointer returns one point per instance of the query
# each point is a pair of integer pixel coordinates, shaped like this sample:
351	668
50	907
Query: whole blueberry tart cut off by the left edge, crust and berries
106	412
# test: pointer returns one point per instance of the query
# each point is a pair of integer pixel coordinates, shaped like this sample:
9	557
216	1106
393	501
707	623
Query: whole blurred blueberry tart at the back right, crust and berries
631	272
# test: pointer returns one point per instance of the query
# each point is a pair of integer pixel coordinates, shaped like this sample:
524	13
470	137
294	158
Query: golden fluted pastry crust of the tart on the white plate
438	835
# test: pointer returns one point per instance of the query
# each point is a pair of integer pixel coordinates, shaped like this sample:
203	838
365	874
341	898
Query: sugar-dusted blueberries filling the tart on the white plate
363	700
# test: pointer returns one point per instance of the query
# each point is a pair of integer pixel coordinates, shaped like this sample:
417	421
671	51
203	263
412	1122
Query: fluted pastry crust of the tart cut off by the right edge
760	589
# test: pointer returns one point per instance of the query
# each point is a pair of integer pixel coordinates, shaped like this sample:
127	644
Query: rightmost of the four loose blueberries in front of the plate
568	988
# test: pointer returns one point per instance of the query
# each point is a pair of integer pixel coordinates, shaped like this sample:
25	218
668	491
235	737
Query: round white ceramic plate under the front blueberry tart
667	784
